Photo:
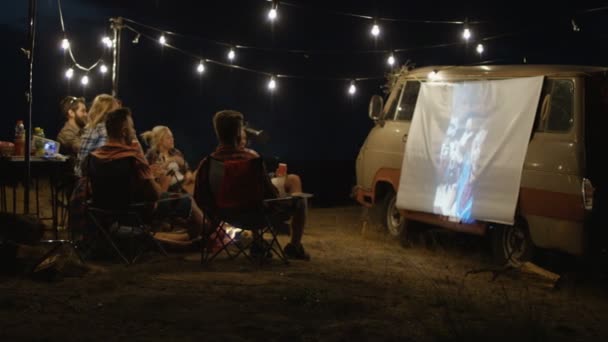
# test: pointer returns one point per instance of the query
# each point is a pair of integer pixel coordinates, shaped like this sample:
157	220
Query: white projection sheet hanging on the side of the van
466	147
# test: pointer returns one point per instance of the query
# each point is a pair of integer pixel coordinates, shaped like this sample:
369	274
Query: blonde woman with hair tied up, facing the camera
164	158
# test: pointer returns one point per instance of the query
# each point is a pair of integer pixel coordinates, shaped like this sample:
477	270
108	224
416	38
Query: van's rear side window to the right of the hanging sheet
557	106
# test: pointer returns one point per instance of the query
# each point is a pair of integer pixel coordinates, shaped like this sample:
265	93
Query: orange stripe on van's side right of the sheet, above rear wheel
551	204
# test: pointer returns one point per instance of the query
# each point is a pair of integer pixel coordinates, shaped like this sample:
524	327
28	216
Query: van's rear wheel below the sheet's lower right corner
512	244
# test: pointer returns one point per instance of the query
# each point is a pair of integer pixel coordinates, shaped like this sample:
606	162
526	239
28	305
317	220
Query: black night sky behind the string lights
315	126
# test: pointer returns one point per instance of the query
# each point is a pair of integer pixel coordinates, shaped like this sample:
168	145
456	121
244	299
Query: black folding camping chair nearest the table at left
115	210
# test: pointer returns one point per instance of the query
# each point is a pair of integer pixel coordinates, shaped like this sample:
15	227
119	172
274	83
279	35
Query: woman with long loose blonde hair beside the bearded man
94	134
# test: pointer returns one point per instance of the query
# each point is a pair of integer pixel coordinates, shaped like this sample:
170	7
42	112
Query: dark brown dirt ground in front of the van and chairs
359	285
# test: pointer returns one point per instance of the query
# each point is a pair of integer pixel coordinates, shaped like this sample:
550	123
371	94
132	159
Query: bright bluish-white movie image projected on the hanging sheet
458	167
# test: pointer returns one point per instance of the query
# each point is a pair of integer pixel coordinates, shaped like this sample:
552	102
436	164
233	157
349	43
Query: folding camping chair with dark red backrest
232	192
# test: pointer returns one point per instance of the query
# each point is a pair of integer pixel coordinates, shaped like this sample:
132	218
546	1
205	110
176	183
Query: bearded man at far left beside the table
75	113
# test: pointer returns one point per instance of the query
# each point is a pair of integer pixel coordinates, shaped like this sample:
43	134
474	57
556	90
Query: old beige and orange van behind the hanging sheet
561	171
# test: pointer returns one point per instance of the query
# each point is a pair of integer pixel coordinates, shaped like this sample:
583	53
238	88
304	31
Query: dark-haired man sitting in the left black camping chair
120	144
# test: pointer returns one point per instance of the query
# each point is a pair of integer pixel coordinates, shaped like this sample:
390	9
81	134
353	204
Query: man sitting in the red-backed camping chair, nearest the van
228	125
